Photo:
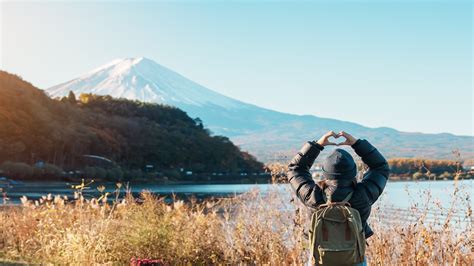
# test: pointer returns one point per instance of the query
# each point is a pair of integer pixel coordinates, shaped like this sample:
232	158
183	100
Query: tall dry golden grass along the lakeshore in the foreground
254	228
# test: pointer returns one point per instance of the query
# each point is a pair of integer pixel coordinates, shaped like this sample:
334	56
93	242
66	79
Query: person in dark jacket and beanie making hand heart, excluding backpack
339	173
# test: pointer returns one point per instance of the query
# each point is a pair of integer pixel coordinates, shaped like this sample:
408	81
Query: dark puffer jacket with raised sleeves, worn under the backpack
365	193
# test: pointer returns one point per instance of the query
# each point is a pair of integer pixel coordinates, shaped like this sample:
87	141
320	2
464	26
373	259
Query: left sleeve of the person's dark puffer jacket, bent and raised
300	178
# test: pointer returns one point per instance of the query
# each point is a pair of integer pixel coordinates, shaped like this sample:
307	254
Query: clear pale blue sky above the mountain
401	64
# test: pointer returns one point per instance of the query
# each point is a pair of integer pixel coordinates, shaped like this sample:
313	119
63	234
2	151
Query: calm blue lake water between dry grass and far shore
397	194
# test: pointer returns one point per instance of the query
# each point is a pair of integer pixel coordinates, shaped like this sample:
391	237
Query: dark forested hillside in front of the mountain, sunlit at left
132	134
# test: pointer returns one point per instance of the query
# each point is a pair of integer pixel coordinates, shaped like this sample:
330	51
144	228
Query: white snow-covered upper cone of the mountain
144	80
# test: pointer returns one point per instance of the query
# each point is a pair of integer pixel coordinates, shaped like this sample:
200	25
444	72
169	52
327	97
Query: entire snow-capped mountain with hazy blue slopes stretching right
268	134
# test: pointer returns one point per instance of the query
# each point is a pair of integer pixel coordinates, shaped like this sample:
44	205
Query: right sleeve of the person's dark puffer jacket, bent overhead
376	177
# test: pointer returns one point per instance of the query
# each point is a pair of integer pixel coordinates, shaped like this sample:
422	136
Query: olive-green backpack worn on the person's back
336	234
